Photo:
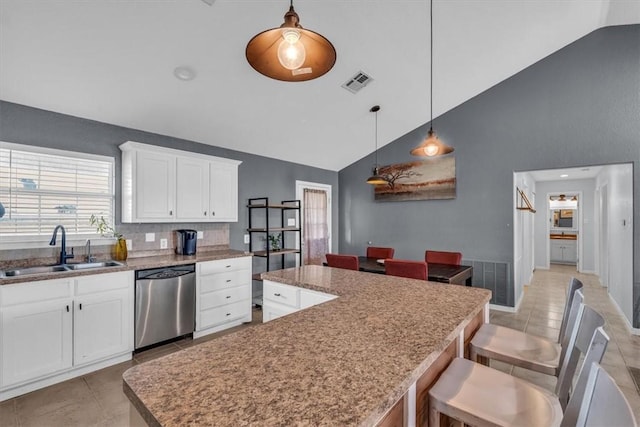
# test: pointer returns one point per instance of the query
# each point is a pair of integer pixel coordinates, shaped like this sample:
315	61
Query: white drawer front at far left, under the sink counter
43	290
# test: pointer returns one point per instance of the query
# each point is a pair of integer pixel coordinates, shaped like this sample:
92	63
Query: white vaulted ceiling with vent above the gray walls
113	61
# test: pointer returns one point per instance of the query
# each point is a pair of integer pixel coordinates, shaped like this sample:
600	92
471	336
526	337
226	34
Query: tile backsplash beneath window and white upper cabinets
215	236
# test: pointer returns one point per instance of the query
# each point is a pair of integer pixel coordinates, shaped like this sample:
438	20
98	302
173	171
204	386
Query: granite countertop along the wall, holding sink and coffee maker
138	263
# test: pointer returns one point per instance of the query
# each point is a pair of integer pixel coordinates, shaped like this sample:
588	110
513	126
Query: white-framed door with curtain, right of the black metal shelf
315	217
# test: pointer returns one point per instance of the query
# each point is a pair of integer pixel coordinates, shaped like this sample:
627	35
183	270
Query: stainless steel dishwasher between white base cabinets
165	304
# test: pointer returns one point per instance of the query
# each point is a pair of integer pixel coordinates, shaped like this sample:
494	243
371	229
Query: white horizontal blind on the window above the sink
40	190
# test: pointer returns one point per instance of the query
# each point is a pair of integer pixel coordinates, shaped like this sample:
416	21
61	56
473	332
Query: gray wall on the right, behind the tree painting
579	106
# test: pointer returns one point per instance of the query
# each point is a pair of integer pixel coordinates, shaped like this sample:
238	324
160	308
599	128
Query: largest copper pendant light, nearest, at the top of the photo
289	52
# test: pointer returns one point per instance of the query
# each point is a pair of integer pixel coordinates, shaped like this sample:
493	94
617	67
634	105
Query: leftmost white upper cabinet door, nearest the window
155	186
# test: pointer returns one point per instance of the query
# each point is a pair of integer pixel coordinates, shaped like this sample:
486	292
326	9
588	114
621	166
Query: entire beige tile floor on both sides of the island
97	399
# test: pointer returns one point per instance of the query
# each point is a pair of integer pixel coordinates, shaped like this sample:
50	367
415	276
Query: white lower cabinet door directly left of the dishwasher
102	326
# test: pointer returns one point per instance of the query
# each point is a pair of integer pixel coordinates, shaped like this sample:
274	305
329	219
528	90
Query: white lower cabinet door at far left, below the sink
36	340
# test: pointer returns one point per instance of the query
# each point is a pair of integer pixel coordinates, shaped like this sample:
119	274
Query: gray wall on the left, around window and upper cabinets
258	176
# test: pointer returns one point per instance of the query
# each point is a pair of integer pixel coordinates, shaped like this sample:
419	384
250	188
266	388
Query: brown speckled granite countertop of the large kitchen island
343	362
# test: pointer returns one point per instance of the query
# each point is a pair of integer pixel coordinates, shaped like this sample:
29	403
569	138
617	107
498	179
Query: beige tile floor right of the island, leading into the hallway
540	313
